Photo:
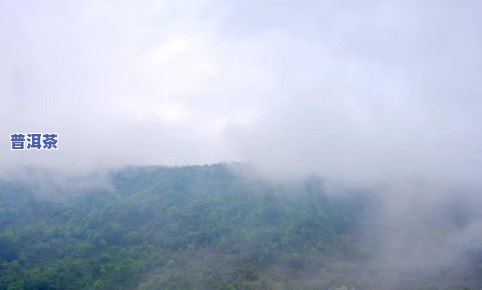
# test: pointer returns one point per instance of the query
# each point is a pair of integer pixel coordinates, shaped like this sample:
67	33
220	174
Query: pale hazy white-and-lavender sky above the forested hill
358	90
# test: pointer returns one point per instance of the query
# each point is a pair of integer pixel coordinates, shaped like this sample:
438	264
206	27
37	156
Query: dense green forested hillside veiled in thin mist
194	227
